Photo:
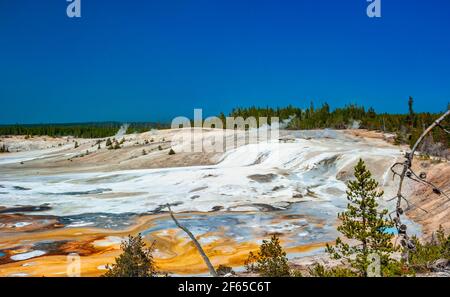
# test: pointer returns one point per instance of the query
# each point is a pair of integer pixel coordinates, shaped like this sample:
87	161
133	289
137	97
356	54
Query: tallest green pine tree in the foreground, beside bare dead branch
364	224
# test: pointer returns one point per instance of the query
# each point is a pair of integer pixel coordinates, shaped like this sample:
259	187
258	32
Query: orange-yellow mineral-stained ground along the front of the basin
174	252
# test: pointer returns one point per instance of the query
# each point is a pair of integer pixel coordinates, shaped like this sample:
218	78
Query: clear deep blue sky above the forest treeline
152	60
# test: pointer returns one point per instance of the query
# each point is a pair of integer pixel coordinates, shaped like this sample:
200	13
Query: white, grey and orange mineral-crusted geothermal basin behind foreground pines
293	188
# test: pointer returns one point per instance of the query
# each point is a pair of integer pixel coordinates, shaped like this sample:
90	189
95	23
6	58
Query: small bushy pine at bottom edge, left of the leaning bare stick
135	261
